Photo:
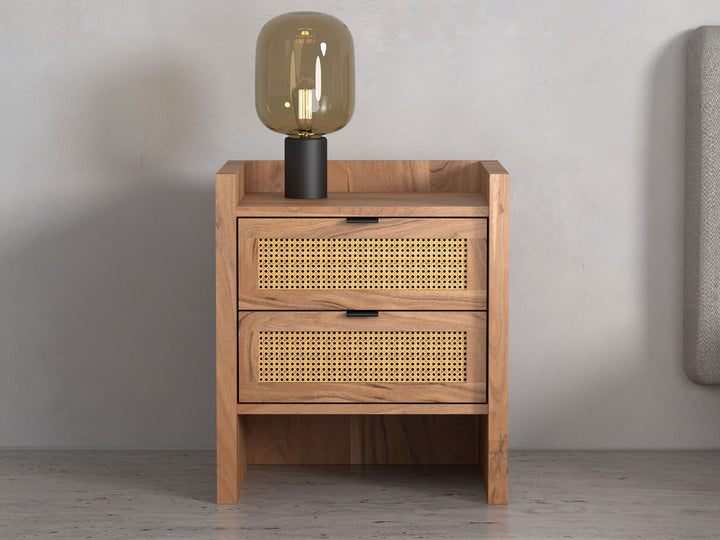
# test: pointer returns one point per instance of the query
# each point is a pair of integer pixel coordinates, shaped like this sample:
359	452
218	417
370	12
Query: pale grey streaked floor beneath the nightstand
623	495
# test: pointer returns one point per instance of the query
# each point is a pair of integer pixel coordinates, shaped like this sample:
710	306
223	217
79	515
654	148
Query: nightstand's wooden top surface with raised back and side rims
432	189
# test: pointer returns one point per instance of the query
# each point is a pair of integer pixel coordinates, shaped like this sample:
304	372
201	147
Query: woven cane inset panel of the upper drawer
362	263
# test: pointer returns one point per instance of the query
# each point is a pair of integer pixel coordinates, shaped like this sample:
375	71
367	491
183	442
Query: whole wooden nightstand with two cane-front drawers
369	327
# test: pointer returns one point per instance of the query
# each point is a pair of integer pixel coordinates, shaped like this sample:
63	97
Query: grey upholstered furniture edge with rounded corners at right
701	357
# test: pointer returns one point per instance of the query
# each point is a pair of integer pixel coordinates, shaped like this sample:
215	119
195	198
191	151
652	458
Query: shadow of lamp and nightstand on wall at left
112	326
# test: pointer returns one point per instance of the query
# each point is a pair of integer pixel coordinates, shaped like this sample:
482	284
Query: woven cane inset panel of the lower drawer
349	356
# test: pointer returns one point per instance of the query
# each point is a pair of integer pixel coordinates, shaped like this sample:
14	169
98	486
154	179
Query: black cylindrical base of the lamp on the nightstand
305	168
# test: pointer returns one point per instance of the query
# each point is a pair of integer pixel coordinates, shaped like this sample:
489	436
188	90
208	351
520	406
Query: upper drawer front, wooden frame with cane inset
339	264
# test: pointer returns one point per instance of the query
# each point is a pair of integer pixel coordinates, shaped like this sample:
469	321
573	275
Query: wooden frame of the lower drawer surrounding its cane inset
251	322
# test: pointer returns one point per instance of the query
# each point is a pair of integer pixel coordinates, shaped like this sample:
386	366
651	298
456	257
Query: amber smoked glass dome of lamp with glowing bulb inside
305	74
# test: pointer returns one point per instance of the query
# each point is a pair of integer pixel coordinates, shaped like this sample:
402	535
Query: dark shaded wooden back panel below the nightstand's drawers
362	439
